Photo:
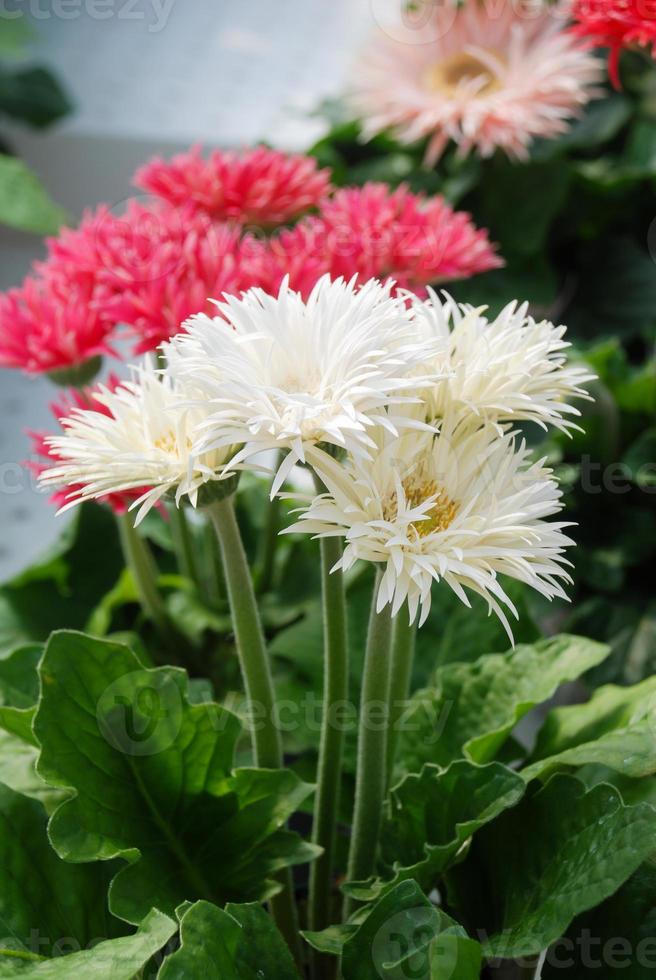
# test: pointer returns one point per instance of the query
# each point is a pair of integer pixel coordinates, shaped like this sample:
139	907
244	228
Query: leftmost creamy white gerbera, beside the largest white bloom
141	436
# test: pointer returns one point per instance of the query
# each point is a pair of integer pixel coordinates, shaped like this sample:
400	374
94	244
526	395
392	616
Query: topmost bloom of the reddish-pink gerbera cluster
259	186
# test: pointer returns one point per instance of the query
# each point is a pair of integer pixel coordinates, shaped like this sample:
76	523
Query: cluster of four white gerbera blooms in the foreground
405	409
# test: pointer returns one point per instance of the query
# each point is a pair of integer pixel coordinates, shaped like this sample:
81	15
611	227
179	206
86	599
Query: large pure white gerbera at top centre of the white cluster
285	373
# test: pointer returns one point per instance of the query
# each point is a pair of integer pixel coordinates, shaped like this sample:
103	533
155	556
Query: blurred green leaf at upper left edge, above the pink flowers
24	204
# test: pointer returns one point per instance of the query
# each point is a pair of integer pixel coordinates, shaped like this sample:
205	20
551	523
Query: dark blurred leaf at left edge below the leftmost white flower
66	584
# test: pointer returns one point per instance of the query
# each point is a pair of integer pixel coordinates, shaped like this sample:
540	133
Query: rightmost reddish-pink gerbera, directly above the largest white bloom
374	233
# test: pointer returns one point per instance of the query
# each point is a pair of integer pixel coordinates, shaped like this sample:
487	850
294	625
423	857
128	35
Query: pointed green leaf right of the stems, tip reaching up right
473	708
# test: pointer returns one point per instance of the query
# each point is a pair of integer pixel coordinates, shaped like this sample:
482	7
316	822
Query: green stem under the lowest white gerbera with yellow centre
371	772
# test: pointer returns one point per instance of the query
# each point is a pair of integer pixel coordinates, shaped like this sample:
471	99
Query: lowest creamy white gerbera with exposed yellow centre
463	506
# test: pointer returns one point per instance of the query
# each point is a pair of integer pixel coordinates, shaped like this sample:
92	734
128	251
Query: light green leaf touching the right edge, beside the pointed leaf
614	729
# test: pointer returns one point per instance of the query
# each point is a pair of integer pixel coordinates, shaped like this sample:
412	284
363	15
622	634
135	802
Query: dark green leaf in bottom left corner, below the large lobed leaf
46	904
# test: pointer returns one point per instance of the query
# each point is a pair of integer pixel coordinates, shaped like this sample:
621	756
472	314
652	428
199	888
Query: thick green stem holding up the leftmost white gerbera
258	682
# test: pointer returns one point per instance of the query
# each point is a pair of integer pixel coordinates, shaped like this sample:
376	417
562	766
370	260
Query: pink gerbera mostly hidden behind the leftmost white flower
46	456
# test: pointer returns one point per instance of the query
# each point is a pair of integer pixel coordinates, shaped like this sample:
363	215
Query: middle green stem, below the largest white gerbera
335	694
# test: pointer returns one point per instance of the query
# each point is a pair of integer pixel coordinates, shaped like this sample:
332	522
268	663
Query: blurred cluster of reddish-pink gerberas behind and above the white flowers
149	268
